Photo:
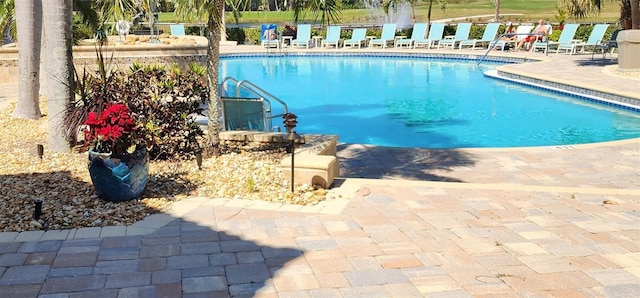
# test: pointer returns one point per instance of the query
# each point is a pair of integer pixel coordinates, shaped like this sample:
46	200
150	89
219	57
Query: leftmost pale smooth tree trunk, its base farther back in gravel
29	23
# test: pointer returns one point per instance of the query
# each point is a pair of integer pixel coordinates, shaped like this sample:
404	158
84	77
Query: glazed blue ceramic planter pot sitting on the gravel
119	178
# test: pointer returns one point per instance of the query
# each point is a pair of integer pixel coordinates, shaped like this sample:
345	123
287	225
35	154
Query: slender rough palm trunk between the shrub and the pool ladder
213	53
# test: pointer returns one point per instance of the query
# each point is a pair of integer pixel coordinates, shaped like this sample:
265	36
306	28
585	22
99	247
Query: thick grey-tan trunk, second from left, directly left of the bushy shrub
59	69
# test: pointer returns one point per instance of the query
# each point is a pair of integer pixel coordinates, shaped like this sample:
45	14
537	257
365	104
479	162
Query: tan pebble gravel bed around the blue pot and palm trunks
62	182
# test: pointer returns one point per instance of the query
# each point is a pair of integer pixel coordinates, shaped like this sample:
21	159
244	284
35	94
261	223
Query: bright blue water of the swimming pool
405	102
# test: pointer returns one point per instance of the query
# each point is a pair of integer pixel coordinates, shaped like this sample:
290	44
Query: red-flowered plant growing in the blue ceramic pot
113	130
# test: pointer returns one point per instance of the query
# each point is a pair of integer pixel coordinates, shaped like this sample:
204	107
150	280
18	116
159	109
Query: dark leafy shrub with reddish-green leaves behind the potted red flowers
162	101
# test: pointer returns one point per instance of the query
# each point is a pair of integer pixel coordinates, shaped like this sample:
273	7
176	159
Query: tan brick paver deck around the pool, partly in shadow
547	221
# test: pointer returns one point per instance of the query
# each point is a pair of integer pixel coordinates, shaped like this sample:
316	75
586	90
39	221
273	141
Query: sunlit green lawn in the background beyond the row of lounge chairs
531	10
